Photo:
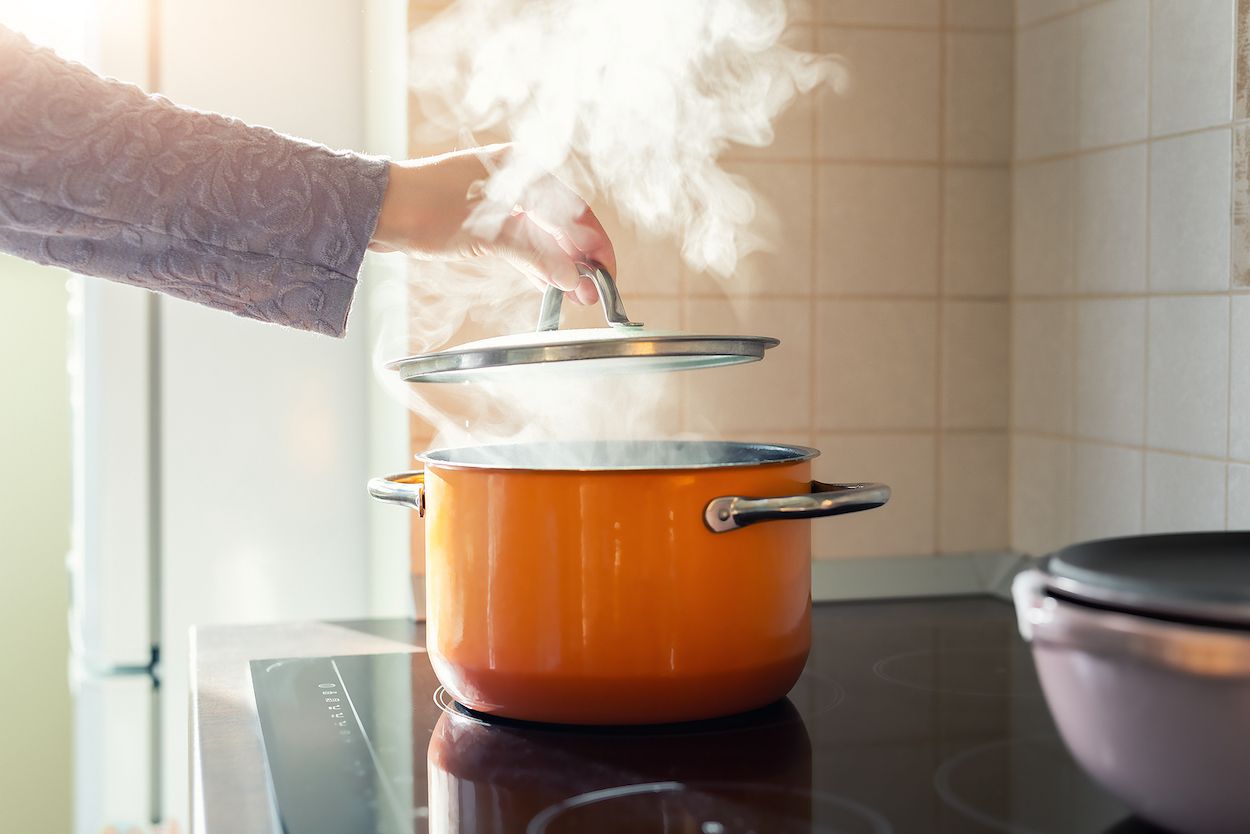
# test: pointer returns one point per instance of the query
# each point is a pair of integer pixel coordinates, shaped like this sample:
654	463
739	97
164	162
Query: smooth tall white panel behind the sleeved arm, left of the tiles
264	431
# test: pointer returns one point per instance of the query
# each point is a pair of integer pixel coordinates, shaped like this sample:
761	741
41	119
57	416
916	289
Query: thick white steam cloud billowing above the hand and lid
633	102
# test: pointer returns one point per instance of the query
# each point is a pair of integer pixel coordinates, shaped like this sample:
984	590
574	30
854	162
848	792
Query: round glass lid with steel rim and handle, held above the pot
623	347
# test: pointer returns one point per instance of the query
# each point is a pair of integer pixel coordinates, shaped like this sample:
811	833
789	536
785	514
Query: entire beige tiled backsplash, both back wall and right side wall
1011	271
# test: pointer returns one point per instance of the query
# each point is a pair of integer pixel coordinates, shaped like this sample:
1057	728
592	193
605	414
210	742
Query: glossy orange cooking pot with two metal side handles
619	583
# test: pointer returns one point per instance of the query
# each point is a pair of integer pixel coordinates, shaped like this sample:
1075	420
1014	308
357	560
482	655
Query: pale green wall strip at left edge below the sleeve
36	773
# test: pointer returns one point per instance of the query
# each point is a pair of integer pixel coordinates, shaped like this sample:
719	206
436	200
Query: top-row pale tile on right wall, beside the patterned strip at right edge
1192	64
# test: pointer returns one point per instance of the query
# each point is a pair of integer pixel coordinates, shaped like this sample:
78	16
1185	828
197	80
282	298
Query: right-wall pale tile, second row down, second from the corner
1112	221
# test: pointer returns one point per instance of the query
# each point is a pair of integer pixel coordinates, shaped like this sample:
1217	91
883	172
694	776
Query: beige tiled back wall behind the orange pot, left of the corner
888	212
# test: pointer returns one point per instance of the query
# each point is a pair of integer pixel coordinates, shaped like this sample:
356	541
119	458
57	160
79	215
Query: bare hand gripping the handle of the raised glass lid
438	209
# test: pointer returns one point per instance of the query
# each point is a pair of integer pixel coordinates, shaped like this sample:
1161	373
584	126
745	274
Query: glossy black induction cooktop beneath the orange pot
912	718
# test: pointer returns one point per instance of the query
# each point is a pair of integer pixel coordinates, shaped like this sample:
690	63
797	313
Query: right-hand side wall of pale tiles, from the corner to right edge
1129	322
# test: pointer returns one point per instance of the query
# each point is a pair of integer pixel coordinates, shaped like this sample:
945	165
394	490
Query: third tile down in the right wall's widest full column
1188	394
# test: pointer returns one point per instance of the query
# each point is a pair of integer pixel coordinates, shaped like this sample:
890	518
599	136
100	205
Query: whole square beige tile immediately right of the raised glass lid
876	364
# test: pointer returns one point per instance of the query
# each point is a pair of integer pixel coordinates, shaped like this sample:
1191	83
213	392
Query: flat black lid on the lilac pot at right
1202	578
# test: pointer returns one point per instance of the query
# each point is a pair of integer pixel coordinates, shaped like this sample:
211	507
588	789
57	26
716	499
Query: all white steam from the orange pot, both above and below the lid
633	106
